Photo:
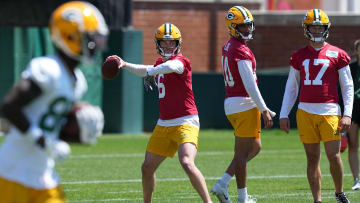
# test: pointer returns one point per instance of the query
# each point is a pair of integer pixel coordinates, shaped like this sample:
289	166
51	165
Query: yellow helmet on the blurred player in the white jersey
78	29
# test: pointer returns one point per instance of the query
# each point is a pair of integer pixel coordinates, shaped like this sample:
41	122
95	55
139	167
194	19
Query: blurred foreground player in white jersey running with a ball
37	105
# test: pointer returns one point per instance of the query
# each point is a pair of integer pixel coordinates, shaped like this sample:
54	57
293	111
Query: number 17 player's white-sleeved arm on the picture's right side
347	91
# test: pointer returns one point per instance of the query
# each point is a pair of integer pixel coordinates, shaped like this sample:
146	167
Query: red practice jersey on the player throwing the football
176	98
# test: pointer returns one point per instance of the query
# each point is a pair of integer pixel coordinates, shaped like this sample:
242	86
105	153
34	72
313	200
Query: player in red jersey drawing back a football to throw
178	126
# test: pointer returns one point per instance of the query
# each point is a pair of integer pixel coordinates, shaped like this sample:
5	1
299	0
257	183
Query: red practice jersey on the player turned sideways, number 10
233	51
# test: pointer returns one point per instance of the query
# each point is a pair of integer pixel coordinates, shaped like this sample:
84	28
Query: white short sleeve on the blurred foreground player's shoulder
41	72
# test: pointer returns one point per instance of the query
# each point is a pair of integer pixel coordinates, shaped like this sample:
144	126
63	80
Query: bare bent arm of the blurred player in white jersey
14	102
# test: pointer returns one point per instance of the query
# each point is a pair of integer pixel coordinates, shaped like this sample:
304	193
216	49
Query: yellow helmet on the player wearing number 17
316	17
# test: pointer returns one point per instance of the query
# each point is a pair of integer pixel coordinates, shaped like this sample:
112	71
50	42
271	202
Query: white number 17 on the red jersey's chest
317	80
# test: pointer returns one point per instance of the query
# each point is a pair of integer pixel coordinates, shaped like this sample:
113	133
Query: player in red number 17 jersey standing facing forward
316	69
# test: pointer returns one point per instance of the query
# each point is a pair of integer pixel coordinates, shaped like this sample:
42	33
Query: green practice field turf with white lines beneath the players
110	171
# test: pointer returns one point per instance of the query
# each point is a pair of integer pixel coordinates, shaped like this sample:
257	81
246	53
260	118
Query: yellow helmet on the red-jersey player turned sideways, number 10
238	15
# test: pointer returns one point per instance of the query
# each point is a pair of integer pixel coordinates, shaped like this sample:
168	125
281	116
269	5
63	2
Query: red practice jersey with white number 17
319	72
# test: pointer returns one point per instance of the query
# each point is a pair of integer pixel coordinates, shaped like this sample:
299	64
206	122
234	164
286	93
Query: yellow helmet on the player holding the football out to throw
167	31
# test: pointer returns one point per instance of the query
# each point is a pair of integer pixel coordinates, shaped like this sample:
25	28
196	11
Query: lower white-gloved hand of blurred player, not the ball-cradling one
55	148
